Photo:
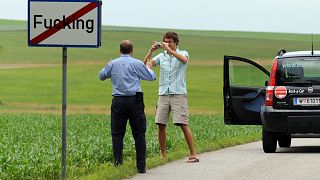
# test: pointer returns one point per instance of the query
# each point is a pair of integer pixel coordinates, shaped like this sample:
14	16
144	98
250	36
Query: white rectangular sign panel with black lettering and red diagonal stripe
64	23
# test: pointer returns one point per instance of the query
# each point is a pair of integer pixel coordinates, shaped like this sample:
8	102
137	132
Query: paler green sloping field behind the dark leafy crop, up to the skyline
33	75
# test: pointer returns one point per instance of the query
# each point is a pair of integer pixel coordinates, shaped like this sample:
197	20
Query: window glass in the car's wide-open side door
244	74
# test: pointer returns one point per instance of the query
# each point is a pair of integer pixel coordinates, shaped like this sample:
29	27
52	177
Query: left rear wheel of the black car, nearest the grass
269	141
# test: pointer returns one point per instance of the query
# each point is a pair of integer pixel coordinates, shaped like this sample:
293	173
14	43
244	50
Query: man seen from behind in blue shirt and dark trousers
127	103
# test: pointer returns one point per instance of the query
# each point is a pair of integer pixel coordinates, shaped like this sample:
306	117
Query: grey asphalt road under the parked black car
248	161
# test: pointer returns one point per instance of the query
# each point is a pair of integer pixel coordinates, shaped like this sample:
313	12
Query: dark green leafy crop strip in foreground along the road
30	146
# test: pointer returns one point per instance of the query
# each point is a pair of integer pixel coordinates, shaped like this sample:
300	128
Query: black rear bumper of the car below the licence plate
290	121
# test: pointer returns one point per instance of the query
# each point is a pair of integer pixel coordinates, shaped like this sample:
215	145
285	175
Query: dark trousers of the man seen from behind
122	109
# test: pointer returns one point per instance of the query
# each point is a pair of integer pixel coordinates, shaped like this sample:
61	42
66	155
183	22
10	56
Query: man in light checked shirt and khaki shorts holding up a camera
172	89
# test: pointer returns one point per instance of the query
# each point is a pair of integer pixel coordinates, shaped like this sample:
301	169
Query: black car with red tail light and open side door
285	102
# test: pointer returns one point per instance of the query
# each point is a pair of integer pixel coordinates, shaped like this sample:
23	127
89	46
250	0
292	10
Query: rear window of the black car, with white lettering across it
298	71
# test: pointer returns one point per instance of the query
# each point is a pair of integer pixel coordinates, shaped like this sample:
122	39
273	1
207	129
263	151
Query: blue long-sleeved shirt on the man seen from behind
125	73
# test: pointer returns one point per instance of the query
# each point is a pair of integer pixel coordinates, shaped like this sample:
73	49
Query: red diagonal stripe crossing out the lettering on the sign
49	32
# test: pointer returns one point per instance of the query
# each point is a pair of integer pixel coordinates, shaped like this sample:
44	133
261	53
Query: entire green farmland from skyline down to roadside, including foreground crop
30	99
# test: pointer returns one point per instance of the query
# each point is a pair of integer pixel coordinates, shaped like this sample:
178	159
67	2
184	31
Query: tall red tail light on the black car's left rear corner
272	83
